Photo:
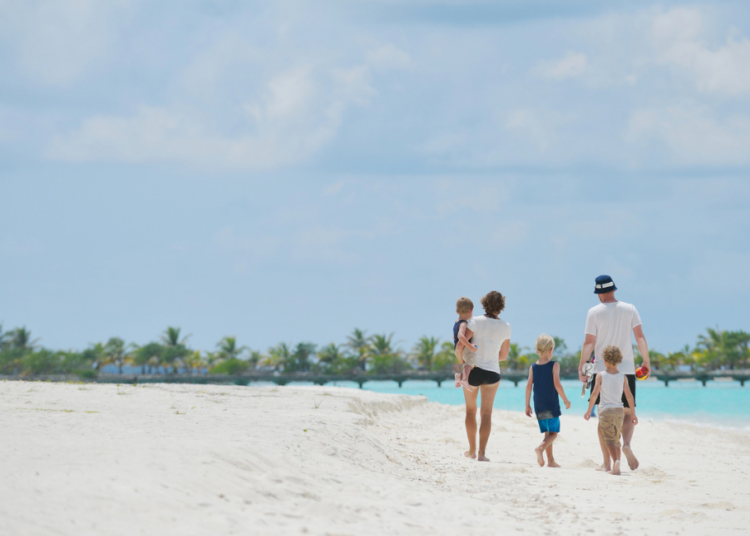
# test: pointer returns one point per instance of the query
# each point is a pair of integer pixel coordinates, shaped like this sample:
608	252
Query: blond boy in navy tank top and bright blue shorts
544	377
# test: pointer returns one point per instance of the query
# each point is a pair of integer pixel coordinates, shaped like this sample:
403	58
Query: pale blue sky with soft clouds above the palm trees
288	171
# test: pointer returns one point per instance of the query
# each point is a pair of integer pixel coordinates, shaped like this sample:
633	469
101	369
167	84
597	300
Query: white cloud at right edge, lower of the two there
690	134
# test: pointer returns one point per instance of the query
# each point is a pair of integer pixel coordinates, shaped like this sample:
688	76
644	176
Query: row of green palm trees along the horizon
20	354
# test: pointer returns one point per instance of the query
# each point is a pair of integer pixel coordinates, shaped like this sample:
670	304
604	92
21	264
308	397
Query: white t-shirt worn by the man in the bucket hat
612	324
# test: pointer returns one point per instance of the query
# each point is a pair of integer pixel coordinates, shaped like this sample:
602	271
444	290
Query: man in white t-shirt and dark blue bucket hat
610	323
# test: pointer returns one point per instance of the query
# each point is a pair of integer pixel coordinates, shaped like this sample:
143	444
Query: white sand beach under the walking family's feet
79	459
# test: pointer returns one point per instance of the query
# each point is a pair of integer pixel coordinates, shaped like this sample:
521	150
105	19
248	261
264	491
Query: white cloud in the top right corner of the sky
678	35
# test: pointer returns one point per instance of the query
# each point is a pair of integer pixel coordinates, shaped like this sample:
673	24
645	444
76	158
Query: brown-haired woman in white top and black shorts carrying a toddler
491	335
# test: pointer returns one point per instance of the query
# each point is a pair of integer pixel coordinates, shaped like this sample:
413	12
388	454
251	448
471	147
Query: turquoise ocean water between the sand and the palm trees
719	403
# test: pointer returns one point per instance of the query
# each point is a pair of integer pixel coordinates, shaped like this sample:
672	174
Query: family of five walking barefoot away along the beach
481	342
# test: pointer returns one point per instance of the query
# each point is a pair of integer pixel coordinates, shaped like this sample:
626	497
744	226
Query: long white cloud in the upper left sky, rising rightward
292	120
